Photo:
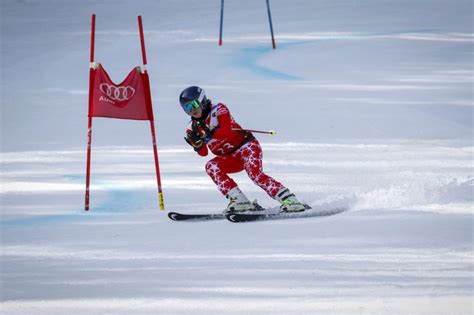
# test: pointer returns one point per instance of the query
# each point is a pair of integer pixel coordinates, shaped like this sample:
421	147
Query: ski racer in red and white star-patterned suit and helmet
212	128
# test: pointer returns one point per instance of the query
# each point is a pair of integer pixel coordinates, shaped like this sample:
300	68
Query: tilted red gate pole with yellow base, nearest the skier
152	124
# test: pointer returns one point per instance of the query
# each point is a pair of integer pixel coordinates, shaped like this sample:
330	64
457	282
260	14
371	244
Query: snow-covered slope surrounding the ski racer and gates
372	101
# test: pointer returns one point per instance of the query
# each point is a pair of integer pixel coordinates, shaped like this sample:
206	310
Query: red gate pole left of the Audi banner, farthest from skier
89	123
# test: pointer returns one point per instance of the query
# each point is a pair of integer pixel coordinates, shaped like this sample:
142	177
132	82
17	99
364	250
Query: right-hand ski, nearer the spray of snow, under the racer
251	217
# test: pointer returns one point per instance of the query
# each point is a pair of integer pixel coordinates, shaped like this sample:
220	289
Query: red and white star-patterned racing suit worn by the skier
235	151
